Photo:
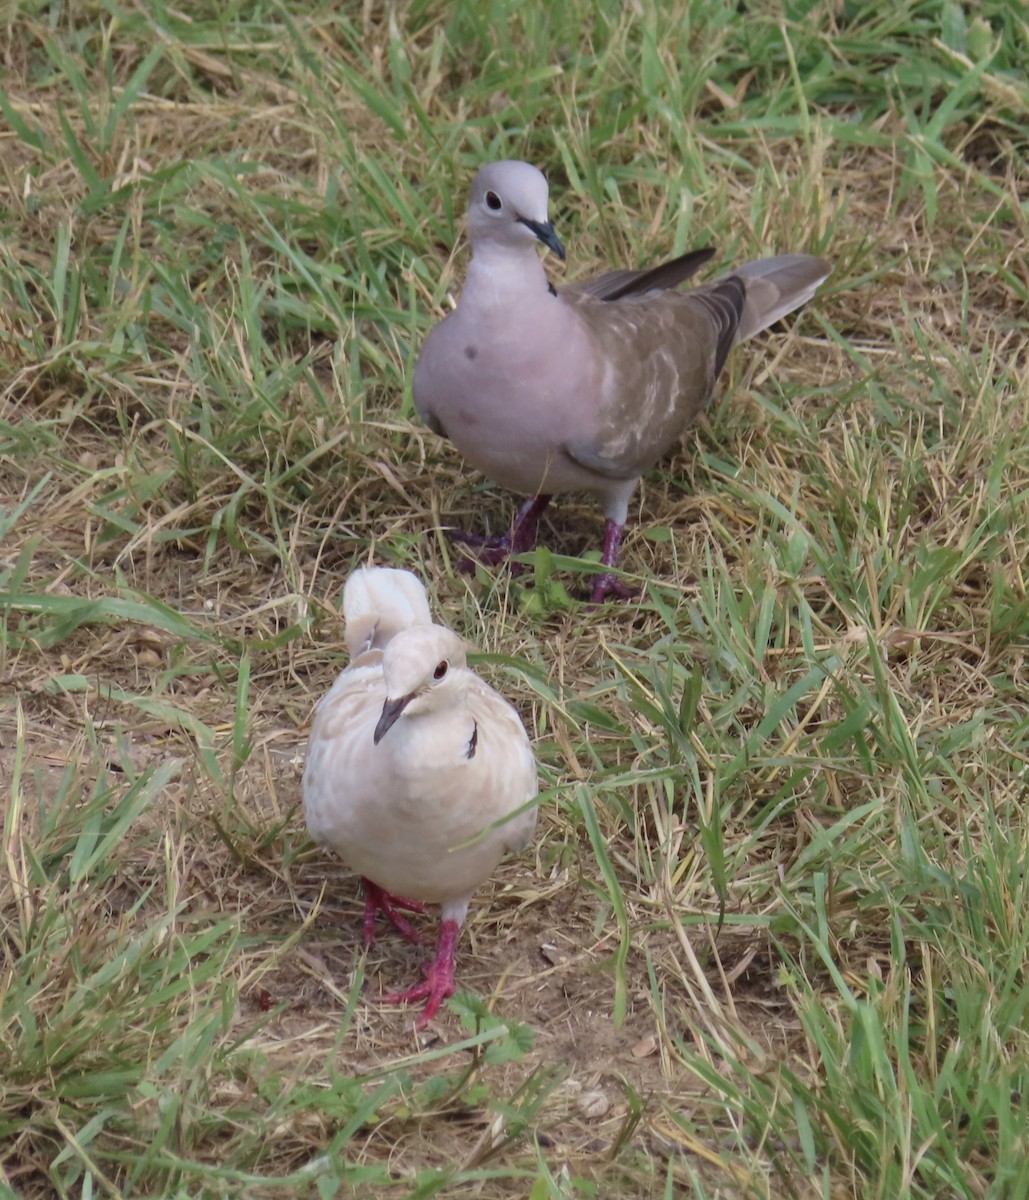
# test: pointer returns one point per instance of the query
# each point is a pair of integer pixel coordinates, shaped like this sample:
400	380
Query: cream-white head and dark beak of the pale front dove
422	668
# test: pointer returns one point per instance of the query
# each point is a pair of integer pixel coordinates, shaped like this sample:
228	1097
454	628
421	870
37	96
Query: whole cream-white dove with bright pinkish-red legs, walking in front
418	773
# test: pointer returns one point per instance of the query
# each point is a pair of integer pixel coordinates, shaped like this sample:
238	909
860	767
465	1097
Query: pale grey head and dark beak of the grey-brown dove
508	208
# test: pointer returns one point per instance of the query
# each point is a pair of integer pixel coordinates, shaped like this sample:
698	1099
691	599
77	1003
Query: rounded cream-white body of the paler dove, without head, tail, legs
414	812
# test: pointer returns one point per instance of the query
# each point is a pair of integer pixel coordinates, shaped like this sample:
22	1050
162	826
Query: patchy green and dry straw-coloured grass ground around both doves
774	939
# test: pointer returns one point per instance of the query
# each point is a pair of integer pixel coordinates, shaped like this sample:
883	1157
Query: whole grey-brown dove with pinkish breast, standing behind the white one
587	387
